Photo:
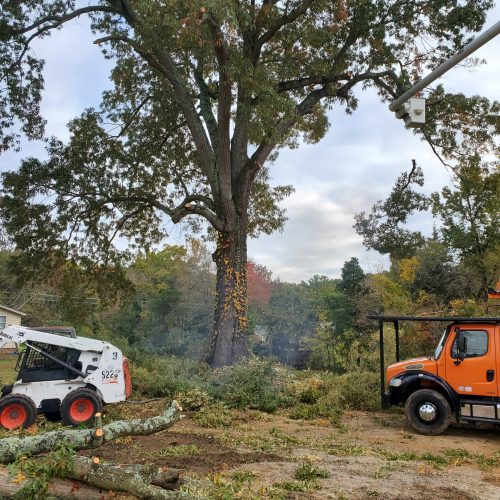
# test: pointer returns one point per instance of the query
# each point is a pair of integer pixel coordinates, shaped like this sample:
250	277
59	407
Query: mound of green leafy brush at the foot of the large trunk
253	384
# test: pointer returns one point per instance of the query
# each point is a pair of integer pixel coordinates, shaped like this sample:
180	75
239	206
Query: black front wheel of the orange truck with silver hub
428	412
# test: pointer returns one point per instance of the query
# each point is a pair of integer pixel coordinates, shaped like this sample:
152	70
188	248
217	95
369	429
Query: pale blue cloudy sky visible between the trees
354	165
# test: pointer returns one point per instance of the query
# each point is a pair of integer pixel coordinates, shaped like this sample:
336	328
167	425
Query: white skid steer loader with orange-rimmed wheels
65	377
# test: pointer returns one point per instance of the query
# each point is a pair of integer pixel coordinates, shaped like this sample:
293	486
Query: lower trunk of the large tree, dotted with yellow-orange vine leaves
230	335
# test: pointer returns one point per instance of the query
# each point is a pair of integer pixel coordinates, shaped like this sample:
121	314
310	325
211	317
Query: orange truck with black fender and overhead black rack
459	381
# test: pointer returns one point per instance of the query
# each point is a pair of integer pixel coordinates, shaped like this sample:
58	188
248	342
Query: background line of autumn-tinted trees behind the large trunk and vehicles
166	299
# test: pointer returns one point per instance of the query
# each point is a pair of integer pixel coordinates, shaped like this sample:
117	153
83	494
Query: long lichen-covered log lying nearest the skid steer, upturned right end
82	439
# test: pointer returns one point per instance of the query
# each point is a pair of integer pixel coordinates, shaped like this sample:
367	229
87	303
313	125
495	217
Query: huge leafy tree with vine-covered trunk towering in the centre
204	93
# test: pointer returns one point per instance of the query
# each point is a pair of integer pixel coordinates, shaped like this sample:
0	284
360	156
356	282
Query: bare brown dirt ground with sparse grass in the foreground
371	454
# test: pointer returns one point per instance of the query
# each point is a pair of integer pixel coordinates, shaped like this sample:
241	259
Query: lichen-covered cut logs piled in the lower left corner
88	478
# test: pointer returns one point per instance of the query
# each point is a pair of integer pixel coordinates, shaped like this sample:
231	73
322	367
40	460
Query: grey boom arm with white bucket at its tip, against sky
412	109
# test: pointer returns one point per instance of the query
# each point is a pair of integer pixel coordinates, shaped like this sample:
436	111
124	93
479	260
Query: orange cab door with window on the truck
477	374
